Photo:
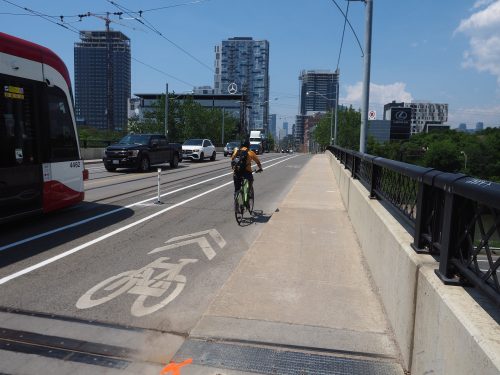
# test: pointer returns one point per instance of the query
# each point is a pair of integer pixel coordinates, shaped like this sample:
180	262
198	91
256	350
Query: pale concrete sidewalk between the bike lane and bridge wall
302	284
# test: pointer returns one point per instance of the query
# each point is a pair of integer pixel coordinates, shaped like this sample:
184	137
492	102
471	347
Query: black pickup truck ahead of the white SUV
140	151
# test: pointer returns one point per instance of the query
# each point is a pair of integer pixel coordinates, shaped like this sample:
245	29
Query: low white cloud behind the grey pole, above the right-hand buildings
379	94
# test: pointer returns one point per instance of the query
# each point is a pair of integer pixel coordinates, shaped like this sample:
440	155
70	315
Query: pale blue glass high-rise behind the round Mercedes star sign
242	67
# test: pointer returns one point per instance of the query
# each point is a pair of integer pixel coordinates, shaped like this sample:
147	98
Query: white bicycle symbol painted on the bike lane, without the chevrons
142	283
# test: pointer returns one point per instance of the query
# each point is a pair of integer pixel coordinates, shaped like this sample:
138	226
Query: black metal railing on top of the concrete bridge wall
453	216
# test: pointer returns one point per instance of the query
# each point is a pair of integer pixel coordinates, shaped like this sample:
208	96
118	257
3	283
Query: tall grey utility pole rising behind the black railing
366	81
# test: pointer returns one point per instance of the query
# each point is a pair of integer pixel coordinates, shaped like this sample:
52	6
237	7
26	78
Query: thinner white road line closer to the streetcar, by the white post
81	222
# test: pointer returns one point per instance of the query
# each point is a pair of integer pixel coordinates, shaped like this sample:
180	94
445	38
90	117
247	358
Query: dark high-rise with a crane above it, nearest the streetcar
102	79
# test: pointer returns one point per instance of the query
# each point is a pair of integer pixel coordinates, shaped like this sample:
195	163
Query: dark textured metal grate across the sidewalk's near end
264	360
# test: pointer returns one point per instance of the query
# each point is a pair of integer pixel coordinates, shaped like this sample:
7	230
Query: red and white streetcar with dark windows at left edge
41	169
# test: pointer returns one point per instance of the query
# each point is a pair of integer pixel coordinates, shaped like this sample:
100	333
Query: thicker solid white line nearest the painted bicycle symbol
105	236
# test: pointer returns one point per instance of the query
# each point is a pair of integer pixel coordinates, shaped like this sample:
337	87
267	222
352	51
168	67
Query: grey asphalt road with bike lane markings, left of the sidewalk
121	259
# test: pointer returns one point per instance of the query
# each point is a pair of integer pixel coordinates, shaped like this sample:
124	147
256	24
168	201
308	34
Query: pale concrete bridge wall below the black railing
440	329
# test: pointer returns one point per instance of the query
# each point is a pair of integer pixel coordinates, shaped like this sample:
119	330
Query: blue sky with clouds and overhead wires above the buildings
444	51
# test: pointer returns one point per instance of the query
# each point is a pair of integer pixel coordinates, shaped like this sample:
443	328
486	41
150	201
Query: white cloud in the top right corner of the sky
483	30
